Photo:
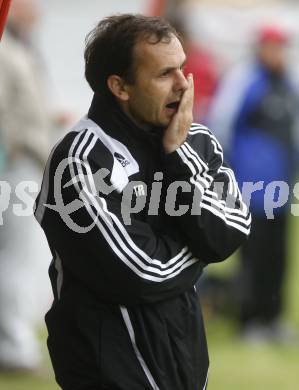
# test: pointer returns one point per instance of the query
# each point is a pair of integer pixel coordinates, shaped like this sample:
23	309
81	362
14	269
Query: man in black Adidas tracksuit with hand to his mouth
125	313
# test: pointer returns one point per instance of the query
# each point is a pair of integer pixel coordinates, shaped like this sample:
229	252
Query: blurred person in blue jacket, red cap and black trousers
255	116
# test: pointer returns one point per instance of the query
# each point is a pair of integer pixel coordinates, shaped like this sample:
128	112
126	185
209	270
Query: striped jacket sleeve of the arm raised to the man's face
217	220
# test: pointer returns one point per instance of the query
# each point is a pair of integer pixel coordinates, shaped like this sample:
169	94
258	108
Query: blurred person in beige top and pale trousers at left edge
26	124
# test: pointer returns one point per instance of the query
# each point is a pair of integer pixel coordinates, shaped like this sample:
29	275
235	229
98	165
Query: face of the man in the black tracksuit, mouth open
159	82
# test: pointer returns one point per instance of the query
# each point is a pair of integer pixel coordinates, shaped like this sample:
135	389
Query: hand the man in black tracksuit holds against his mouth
176	133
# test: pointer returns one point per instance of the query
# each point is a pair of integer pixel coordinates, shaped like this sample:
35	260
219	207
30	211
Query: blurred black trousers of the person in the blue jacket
263	264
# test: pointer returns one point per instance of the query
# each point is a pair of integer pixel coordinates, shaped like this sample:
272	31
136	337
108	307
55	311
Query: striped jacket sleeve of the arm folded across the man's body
122	264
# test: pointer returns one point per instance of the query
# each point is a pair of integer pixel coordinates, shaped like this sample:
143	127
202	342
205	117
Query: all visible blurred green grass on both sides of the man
234	365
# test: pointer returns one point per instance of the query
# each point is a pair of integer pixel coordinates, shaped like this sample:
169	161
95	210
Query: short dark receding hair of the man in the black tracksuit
110	45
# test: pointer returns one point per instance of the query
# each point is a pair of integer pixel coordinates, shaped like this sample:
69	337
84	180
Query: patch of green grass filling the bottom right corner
235	365
